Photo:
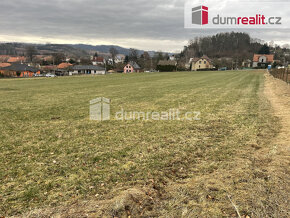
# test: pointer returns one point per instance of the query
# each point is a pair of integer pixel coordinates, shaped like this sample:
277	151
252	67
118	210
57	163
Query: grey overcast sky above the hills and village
143	24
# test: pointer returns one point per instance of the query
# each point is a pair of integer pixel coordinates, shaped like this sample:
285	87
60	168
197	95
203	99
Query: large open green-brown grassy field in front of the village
52	155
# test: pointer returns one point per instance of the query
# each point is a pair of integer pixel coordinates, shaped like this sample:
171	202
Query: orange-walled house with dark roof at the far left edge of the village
17	70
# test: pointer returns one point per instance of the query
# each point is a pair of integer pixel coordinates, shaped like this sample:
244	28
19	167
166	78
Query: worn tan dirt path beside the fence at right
278	93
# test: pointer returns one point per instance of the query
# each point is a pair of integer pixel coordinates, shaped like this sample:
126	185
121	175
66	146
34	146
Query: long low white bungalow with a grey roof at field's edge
87	69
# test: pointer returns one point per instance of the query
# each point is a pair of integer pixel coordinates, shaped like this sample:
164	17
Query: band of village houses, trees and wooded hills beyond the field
205	53
